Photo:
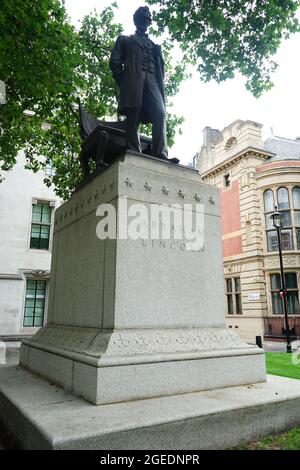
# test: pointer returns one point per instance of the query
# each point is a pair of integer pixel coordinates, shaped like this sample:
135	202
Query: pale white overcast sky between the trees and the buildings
217	105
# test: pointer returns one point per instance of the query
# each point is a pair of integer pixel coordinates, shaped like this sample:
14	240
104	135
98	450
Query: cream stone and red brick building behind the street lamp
254	176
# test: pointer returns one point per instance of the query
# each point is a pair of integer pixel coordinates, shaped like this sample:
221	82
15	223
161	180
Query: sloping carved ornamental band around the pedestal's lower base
91	342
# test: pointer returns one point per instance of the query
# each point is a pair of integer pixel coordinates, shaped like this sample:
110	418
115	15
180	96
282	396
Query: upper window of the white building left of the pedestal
40	226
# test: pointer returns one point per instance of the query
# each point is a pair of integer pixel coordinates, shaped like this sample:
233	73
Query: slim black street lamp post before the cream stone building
276	217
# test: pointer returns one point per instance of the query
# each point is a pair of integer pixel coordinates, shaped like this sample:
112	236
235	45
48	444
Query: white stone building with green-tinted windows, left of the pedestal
26	221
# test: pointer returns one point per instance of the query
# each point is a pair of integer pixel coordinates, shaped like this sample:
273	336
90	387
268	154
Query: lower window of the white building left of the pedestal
34	303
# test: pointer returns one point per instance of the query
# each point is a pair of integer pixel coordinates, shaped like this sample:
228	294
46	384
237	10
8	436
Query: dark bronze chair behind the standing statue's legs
103	141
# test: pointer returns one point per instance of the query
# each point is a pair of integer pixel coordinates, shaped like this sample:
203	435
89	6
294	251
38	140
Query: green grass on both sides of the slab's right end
279	364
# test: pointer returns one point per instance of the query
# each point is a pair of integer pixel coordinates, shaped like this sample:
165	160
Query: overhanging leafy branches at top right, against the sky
224	36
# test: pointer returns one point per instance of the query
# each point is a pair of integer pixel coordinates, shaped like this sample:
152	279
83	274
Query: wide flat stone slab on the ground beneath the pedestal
43	416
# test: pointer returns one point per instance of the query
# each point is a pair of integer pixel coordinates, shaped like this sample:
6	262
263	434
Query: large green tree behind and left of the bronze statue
45	64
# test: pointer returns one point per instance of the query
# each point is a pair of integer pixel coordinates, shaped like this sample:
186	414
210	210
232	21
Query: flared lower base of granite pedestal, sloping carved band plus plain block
133	365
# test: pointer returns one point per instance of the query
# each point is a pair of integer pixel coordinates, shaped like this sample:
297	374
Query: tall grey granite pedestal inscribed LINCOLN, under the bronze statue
136	318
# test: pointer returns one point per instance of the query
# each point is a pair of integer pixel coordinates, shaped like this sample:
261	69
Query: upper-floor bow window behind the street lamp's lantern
290	233
